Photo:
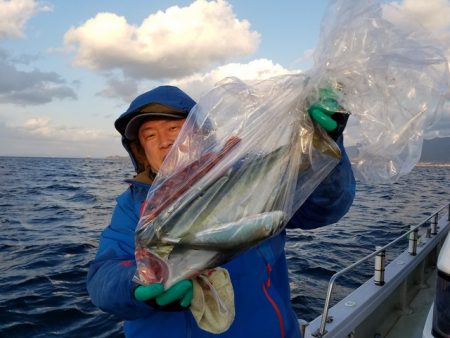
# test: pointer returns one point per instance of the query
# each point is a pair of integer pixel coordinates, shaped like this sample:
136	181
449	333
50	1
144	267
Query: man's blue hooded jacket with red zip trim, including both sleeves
259	275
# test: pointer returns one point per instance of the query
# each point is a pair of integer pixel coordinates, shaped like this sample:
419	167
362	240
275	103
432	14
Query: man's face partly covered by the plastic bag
157	137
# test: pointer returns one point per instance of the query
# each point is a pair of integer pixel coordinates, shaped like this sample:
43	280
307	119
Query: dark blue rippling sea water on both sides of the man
52	211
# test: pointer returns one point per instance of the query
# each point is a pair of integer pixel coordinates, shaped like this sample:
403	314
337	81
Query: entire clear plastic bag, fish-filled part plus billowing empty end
249	156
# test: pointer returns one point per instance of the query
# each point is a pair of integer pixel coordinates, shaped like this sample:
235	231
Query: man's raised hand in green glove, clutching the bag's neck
328	113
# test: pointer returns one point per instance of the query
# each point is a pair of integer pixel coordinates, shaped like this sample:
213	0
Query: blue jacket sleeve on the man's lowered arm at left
110	277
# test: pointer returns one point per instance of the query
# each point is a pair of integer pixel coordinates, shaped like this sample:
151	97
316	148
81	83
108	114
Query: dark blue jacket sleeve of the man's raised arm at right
331	200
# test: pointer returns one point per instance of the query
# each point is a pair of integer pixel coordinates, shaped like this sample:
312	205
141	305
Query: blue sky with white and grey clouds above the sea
68	69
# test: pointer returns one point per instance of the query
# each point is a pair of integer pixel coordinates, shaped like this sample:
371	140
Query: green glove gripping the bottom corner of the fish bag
181	291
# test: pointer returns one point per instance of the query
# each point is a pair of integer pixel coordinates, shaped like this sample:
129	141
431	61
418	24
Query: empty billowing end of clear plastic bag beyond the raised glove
393	77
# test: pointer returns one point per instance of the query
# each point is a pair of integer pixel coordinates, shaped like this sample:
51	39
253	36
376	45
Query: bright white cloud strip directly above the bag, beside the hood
260	69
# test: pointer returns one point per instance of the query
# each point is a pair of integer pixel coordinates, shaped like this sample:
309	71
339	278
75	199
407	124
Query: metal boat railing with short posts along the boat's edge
379	255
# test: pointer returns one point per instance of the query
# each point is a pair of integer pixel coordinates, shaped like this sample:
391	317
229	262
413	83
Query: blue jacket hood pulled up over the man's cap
168	96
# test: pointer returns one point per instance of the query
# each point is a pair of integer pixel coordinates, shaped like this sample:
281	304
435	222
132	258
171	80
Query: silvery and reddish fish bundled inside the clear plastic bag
215	208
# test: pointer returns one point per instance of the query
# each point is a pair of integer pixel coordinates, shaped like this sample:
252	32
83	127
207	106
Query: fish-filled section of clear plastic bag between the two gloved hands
230	179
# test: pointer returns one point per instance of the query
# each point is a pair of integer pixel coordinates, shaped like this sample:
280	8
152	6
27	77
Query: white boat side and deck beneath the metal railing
397	309
